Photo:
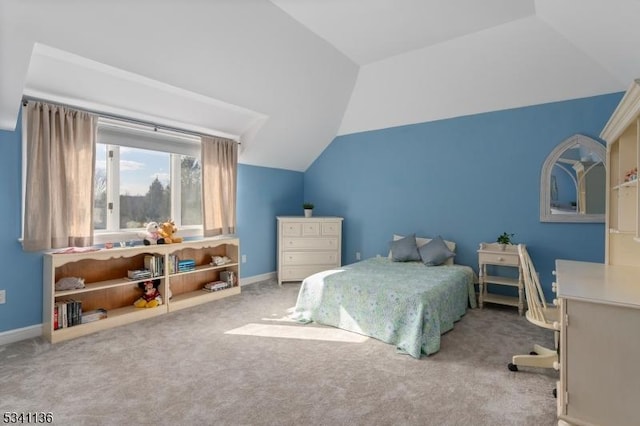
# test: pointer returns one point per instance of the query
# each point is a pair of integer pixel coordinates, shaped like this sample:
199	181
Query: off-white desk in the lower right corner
599	343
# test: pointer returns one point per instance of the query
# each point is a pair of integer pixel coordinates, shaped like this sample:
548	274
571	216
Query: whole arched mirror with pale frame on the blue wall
572	182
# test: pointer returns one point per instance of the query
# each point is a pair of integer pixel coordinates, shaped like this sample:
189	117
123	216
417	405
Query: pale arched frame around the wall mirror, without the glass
545	181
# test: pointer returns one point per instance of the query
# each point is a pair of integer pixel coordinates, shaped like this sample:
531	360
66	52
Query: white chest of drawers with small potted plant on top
307	246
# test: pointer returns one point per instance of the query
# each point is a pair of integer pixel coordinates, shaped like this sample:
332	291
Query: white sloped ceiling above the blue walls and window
296	73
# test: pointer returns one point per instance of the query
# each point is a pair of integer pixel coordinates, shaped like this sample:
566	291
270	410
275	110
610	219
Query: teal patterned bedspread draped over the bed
406	304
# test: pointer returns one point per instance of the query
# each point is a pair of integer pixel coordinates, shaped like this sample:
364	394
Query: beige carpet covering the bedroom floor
239	361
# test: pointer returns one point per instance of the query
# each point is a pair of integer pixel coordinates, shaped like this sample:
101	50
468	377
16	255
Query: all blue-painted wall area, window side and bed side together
467	179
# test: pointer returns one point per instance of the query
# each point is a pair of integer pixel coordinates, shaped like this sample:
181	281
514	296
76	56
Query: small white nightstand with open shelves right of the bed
499	255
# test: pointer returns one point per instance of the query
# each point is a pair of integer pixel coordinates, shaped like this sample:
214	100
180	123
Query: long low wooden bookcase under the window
107	287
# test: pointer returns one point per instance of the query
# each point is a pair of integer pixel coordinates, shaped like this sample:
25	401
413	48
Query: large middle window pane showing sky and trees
145	193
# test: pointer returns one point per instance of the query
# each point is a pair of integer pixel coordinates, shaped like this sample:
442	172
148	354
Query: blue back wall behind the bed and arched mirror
468	179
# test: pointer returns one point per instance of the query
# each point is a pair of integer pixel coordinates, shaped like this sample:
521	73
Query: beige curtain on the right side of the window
219	181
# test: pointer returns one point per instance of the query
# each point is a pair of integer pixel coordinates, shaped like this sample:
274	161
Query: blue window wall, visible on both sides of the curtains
263	193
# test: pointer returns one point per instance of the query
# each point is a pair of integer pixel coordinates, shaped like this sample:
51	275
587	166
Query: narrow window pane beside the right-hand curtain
190	191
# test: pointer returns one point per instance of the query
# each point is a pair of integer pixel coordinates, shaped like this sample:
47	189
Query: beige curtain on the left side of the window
59	177
